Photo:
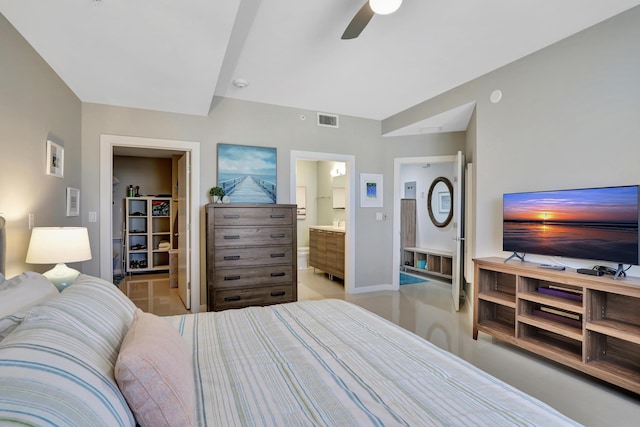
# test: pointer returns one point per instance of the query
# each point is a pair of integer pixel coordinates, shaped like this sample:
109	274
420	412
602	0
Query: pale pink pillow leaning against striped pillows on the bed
155	374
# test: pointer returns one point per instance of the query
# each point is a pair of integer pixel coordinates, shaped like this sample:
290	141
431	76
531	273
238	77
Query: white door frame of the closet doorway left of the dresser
107	142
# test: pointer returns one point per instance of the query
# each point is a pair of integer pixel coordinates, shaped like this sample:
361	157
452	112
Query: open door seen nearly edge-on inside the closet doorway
184	273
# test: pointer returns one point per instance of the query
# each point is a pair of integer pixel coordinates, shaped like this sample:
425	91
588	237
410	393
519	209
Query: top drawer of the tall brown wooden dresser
252	216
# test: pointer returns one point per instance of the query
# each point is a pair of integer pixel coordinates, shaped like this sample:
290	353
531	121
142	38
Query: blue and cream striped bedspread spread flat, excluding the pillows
332	363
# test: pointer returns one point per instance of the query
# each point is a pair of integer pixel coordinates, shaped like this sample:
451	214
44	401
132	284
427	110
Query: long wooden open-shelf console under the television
589	323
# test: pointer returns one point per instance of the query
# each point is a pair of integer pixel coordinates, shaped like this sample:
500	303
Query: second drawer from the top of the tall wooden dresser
225	237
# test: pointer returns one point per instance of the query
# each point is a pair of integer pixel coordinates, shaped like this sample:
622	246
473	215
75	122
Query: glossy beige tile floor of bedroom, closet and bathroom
426	309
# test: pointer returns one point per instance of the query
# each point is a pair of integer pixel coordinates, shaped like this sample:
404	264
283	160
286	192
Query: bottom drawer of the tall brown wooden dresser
239	298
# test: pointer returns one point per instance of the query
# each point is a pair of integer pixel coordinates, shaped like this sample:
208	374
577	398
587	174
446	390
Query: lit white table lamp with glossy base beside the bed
58	245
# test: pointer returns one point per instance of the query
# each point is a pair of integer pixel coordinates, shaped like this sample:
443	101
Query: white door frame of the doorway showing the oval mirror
398	162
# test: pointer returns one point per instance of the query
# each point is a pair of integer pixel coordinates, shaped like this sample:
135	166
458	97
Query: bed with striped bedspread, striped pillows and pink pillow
71	360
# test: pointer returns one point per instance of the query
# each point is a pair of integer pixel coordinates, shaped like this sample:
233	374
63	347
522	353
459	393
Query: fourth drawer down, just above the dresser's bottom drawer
246	277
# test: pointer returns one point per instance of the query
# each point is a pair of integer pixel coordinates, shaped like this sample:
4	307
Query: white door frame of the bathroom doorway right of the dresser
350	198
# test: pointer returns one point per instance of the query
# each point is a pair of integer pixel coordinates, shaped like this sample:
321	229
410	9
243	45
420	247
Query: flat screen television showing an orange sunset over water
591	223
